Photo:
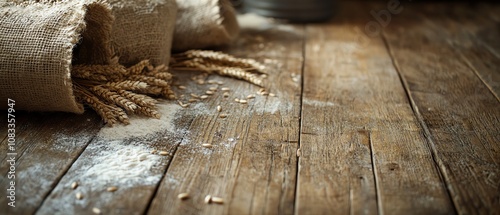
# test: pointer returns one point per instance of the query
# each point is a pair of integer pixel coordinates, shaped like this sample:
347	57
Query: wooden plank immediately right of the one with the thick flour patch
252	164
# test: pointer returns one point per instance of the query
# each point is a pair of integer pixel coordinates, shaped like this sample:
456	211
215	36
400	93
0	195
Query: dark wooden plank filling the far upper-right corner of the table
471	35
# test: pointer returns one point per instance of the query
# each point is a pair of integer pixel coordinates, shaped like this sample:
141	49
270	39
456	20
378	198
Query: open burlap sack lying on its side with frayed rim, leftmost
36	50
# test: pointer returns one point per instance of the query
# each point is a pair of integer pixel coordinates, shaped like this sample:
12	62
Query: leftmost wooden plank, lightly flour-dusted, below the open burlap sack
46	145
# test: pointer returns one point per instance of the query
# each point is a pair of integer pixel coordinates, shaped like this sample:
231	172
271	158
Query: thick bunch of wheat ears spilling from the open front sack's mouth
113	89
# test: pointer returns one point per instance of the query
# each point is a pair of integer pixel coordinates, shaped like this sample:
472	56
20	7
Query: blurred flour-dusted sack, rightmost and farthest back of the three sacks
204	23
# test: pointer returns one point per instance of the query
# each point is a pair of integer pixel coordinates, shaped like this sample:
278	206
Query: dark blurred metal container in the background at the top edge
293	10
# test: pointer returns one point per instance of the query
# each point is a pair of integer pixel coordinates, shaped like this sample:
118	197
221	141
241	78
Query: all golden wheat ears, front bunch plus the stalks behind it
115	91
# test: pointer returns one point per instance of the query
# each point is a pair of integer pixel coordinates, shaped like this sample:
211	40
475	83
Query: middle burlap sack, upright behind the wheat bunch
143	30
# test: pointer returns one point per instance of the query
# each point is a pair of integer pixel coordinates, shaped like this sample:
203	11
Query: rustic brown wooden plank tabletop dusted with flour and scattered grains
391	116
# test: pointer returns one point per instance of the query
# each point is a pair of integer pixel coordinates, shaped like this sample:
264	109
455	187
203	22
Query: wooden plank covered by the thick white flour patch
121	157
